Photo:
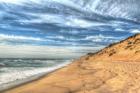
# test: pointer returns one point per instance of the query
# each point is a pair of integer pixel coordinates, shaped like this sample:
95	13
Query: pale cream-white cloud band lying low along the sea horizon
29	51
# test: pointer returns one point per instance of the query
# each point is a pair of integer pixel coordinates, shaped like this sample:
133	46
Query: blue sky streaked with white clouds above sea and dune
64	28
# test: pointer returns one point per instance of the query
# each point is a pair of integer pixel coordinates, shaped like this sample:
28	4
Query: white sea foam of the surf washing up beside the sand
13	76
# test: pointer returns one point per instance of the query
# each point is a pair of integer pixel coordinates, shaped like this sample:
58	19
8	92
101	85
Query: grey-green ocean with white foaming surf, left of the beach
15	70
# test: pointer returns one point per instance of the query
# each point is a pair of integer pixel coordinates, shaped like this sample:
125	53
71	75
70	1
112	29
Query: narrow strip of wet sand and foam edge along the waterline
18	83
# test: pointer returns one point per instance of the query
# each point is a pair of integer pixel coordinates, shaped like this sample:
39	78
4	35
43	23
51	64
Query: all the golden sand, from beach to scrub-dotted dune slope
115	69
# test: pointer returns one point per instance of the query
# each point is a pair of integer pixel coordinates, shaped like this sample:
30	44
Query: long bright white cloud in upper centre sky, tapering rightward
60	20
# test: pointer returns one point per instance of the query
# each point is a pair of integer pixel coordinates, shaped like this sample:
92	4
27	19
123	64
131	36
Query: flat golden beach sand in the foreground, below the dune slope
104	78
